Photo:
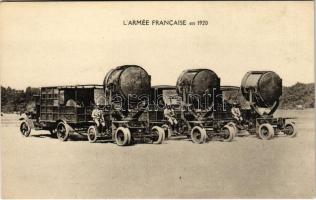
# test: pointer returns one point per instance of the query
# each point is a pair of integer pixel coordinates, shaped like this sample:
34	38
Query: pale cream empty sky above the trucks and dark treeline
66	43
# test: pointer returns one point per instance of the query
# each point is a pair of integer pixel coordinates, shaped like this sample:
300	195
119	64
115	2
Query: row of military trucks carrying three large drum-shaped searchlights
132	111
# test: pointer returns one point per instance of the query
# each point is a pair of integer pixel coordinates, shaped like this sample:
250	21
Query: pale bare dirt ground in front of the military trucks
43	167
